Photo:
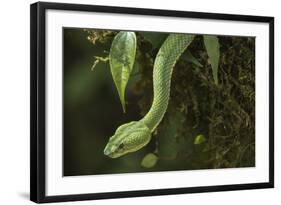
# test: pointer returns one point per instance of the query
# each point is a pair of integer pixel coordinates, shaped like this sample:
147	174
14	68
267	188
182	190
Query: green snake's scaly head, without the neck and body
129	137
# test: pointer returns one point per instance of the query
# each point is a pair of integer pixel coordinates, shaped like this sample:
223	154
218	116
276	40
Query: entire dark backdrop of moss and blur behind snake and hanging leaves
206	125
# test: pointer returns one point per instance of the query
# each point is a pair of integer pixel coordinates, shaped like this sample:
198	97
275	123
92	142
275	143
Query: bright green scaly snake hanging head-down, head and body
134	135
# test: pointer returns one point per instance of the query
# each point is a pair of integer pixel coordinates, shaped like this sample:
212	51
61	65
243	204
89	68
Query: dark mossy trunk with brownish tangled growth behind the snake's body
223	114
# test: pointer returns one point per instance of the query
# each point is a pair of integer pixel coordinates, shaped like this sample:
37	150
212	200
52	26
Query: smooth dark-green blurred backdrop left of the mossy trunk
92	110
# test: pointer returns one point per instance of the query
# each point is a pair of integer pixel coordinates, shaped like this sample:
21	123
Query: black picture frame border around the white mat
38	103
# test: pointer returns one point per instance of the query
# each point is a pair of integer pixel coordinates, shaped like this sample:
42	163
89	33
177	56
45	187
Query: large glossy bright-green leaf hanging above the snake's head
121	59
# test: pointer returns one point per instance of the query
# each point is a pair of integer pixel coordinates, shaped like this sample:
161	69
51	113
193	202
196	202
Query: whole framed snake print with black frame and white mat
129	102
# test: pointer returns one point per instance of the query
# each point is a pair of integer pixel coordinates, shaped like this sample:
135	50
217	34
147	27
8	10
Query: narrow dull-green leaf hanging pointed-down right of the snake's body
213	49
